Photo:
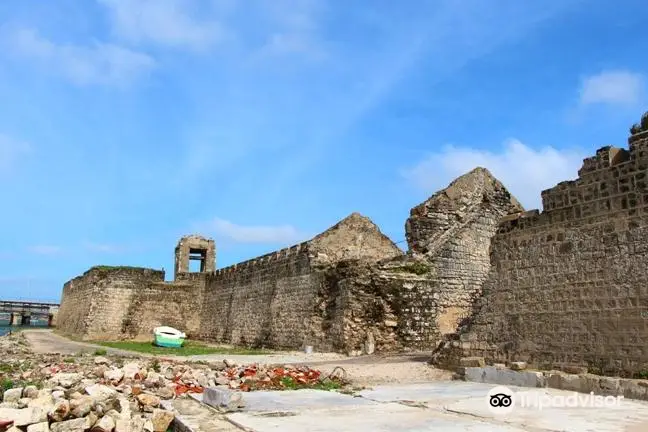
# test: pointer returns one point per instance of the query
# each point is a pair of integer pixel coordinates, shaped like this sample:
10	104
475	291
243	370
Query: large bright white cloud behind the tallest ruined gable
523	170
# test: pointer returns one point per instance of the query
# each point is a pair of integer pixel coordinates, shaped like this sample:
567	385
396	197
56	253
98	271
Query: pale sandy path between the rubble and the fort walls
362	371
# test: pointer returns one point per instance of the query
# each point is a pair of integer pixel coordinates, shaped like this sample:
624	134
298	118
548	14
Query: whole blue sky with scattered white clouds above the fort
125	124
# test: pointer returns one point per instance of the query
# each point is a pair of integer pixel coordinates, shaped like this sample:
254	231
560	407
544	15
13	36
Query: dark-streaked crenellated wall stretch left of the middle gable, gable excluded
266	301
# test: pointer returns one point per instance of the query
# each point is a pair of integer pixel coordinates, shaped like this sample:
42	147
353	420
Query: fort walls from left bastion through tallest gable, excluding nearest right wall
349	289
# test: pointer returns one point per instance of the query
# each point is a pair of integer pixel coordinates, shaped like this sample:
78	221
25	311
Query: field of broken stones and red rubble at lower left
58	393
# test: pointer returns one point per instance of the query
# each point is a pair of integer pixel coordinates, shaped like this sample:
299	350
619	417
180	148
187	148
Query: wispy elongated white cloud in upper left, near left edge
99	63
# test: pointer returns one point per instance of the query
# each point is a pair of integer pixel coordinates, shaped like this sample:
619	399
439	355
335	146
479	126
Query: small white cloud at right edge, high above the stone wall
612	87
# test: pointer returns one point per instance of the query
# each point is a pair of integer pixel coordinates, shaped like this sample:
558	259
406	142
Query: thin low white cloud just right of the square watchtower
282	234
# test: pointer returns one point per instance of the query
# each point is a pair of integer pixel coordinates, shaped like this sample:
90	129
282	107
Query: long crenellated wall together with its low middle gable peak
275	300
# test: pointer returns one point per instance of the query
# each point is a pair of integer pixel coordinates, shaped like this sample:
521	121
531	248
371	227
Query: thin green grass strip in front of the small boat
189	348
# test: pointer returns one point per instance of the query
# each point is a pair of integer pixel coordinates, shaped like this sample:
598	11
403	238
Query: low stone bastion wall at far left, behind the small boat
128	302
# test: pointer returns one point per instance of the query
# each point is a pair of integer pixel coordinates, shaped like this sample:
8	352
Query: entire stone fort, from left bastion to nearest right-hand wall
481	277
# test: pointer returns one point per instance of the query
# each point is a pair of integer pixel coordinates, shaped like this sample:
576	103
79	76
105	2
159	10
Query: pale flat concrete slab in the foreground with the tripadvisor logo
447	406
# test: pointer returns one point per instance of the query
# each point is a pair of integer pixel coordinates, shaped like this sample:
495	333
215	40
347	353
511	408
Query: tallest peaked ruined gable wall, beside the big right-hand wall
451	233
